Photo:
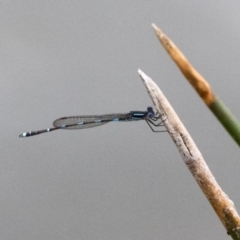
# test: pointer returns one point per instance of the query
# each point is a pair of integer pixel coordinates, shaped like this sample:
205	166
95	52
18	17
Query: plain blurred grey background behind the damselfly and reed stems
120	180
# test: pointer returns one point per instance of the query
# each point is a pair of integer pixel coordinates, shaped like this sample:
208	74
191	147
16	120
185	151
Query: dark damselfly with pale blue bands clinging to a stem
88	121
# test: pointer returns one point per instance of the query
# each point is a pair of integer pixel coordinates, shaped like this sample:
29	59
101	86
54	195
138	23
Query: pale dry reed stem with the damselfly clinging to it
222	205
